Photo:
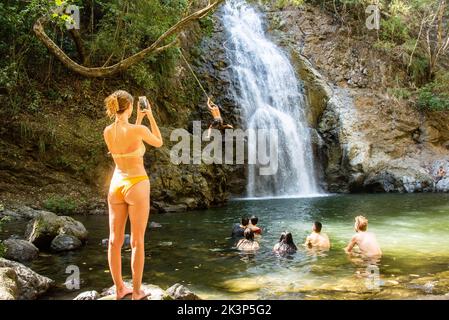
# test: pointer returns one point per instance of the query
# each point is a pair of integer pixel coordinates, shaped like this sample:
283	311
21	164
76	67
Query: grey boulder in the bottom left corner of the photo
30	284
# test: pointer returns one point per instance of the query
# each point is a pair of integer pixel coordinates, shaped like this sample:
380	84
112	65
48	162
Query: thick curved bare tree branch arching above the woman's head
124	64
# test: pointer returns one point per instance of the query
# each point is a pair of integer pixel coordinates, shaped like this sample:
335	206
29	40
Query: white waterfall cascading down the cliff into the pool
270	97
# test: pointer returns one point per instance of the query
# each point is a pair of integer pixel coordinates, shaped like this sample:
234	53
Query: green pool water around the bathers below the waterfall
194	249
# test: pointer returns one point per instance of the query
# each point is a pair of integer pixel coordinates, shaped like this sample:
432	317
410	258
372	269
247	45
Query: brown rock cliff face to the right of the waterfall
366	139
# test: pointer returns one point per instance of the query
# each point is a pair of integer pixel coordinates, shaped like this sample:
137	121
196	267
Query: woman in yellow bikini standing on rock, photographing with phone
129	191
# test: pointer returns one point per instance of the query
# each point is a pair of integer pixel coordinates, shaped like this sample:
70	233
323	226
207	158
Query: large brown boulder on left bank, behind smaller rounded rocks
46	226
